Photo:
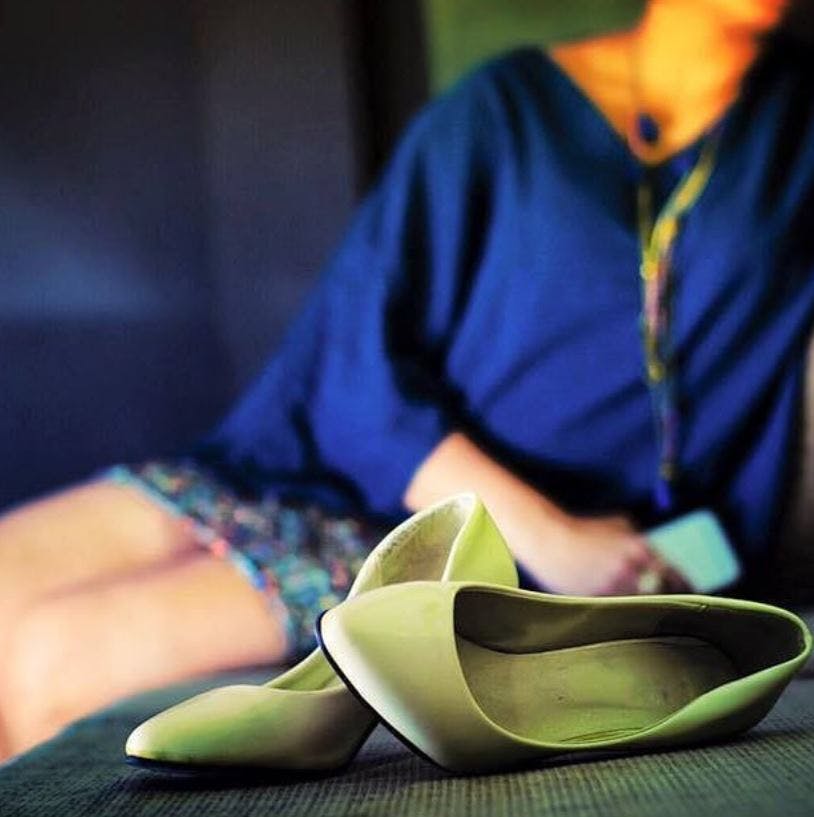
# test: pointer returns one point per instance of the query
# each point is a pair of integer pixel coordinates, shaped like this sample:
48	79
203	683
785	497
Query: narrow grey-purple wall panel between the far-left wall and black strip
280	167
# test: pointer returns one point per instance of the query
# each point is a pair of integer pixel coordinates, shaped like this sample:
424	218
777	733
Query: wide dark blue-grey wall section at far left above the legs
104	342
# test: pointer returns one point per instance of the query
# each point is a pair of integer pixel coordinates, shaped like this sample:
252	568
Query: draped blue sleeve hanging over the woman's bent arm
356	396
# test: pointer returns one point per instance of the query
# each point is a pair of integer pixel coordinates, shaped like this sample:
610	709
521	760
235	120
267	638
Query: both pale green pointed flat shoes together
436	640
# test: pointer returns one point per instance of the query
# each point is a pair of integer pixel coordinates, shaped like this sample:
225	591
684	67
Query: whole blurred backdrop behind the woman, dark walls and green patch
173	174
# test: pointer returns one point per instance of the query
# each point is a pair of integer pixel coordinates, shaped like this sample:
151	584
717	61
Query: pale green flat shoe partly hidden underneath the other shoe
306	719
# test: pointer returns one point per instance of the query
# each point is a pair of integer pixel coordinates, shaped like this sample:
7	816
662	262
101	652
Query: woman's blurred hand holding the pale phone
595	557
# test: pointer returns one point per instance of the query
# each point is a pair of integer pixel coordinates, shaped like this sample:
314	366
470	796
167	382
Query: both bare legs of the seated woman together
69	551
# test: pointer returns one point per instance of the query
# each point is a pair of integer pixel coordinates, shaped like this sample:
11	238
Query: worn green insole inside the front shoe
592	693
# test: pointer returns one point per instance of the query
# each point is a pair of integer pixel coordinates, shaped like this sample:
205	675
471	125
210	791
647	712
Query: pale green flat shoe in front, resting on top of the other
477	677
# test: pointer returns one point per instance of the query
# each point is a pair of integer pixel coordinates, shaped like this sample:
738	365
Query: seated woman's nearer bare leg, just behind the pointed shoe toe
80	649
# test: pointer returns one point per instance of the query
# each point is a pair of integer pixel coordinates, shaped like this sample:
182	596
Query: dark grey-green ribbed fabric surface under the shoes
770	771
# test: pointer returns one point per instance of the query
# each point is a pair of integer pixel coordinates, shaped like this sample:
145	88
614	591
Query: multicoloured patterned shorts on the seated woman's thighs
300	558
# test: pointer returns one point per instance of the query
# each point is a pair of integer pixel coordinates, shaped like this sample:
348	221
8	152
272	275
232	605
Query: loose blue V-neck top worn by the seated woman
489	283
